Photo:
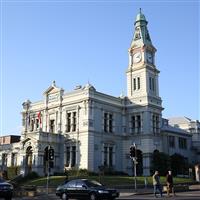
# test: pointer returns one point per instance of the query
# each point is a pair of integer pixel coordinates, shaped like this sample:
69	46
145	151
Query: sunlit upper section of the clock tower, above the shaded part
142	74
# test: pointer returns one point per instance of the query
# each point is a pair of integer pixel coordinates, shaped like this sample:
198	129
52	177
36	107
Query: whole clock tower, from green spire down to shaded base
144	104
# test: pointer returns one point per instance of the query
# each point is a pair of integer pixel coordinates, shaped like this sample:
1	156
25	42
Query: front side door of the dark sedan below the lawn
81	190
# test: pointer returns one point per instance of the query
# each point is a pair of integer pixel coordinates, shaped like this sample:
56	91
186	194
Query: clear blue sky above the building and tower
73	42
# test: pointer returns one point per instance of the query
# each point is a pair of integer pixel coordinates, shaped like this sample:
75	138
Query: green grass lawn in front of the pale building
106	180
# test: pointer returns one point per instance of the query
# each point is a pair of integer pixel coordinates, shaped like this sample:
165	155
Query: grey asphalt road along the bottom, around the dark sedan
191	195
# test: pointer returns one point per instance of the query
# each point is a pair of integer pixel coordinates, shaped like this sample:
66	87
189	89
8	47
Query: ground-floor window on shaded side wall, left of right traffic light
108	155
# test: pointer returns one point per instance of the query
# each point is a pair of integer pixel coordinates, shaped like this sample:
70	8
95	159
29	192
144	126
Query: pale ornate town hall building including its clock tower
88	129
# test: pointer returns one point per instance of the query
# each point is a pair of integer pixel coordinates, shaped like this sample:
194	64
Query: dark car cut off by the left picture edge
6	190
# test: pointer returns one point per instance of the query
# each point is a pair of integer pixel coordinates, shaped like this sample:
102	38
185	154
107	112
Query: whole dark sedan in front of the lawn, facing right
85	189
